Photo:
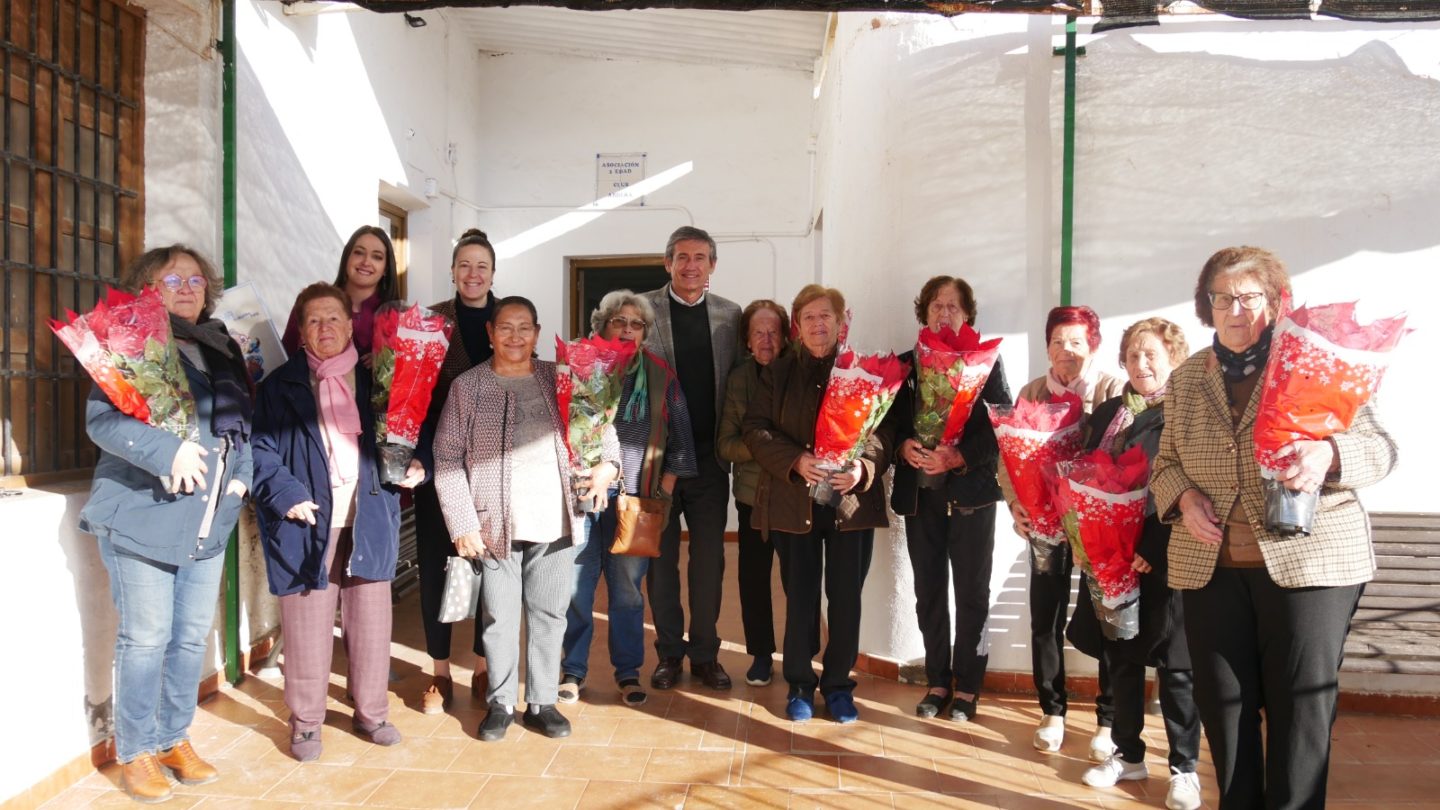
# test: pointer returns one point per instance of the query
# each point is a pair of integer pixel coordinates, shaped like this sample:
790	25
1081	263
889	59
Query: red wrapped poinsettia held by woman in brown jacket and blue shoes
858	397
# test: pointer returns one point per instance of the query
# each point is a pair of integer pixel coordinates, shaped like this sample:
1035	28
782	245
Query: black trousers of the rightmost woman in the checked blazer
1258	646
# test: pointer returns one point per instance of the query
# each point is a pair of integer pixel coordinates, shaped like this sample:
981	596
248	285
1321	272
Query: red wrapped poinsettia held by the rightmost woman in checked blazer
1324	367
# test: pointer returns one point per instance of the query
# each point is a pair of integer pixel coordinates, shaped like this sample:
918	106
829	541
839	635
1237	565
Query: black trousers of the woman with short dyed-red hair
1049	607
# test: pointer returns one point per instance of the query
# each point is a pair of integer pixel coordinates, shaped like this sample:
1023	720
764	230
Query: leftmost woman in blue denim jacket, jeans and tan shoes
163	509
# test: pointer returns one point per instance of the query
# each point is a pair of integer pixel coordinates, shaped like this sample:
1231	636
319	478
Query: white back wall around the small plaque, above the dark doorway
737	141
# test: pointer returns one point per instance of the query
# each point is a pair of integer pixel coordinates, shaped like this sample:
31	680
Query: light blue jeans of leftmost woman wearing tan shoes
166	613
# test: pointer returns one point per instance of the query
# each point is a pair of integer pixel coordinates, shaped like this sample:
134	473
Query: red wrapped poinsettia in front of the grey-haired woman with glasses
590	378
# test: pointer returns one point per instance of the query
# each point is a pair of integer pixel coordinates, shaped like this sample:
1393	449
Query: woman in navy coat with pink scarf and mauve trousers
329	528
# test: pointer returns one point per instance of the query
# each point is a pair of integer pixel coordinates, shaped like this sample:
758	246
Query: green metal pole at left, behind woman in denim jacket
228	211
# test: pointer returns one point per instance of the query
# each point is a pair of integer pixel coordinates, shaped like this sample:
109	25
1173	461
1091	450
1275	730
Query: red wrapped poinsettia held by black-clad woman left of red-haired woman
953	368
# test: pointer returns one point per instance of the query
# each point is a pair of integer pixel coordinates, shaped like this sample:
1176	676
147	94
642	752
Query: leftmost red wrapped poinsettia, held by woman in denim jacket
125	344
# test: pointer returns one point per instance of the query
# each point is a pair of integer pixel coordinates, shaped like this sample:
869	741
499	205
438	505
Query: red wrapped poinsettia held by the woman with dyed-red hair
1033	439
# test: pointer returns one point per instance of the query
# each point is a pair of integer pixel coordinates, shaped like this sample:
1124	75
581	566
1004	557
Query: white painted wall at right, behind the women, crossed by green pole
941	153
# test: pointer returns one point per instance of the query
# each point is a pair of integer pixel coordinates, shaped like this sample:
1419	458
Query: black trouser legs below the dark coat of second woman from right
1177	708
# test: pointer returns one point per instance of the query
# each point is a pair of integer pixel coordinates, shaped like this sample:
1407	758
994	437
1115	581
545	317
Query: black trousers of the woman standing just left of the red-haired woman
947	546
